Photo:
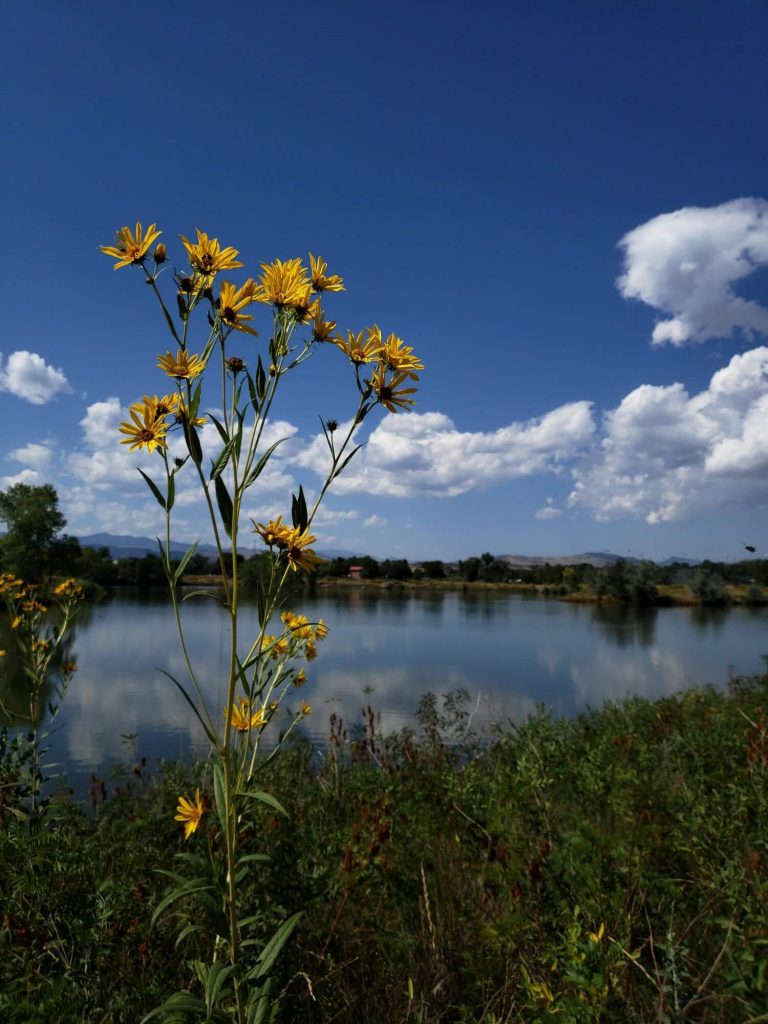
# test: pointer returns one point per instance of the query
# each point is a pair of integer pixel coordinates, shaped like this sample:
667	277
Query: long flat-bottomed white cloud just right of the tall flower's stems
424	454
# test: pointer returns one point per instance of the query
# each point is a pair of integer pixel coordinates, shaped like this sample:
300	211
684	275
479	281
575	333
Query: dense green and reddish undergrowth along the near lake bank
608	869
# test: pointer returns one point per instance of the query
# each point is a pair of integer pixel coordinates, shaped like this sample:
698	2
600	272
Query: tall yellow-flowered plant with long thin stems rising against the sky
262	670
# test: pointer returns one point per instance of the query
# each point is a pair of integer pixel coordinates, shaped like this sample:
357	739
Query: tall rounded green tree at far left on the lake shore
33	521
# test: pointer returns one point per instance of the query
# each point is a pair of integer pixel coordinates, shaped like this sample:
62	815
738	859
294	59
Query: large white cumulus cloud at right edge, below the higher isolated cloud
666	454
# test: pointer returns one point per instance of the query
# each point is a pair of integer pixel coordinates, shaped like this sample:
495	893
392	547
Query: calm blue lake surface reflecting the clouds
389	649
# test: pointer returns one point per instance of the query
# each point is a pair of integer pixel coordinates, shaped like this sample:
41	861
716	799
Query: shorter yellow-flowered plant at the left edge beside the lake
40	642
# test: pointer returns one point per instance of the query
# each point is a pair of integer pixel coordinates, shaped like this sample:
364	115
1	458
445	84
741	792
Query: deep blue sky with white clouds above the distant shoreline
561	206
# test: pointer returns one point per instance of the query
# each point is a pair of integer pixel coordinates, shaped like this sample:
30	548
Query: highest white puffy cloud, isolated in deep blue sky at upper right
687	264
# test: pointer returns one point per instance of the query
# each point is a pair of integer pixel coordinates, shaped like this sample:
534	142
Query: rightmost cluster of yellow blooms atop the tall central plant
395	361
